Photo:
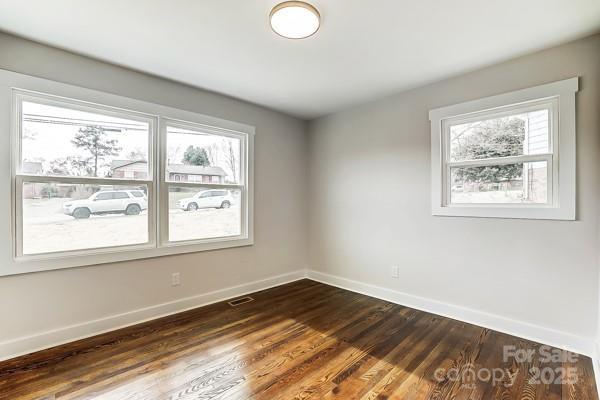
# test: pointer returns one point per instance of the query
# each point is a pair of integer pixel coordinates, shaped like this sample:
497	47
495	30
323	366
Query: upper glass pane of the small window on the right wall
514	135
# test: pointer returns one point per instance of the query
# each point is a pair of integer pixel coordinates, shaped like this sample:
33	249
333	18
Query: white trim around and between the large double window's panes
12	264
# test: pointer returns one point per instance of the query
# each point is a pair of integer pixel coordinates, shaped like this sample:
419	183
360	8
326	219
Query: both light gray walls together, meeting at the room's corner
367	201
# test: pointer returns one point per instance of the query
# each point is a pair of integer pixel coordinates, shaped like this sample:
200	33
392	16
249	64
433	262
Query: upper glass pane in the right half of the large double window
196	156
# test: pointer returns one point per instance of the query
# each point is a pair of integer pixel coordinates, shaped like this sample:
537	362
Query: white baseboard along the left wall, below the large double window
28	344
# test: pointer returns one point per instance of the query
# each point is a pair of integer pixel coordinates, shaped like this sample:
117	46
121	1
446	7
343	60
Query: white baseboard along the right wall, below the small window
525	330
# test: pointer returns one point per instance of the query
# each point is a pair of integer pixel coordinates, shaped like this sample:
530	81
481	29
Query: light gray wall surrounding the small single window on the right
370	204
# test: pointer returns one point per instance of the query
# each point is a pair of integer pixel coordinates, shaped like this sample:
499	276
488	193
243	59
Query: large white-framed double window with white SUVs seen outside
100	178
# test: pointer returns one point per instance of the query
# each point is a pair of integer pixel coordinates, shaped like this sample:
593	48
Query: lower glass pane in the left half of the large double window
62	217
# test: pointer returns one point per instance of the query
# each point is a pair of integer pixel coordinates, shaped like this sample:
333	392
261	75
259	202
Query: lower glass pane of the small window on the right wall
509	183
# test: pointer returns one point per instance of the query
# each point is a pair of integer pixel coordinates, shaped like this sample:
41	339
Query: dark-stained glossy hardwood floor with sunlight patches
304	340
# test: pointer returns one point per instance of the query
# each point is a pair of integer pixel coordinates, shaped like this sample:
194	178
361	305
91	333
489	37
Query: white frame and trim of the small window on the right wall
559	99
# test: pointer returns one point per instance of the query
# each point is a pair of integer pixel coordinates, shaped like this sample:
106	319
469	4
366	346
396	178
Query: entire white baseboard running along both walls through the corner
28	344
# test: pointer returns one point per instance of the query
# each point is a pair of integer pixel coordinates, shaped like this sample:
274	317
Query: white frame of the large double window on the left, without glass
14	86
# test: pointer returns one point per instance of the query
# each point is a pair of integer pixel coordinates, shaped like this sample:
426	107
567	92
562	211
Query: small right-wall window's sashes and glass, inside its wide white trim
501	159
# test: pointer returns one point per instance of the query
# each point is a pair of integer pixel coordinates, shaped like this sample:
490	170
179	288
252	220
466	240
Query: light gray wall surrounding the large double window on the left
33	303
